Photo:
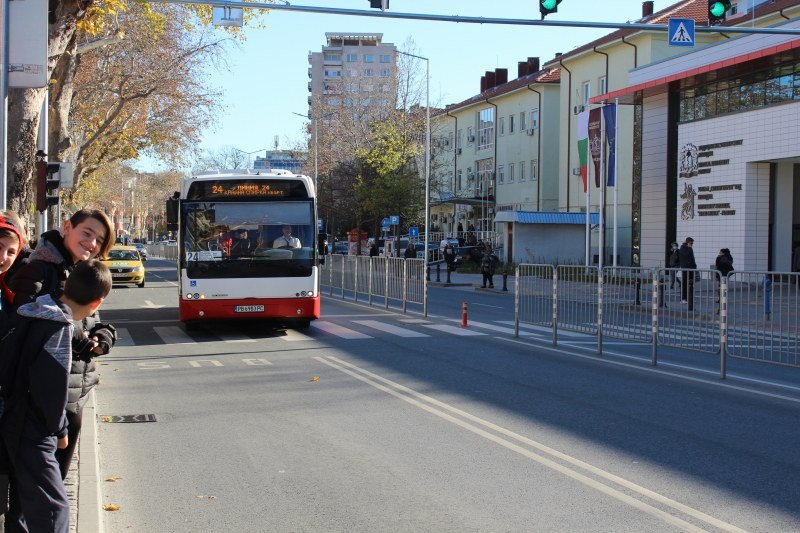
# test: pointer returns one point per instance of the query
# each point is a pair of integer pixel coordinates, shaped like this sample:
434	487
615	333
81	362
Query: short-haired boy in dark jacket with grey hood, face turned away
34	423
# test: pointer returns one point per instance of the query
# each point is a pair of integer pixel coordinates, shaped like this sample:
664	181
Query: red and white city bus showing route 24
248	247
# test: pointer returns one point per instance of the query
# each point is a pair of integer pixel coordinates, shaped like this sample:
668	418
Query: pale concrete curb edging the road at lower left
90	517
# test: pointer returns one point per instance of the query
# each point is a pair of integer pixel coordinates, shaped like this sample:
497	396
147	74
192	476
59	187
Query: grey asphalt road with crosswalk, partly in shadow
372	420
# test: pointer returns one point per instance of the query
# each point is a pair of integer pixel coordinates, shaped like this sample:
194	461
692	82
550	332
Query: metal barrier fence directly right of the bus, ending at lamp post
371	279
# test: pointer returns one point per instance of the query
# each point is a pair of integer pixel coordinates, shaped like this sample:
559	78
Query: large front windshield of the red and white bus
248	240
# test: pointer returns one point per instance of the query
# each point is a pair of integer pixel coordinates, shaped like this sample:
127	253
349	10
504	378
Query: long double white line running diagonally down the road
472	423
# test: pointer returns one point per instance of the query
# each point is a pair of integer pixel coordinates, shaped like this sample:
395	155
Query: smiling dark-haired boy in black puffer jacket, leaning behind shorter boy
88	234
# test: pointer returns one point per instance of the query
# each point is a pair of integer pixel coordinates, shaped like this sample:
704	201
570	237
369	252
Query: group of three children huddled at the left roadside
49	297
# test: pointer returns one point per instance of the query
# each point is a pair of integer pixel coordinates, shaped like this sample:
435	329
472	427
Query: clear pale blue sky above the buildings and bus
268	78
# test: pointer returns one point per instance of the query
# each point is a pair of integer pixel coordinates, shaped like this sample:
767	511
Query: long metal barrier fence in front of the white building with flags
748	315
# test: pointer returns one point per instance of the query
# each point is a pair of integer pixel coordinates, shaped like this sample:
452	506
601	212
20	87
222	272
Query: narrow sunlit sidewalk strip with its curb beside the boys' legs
83	481
